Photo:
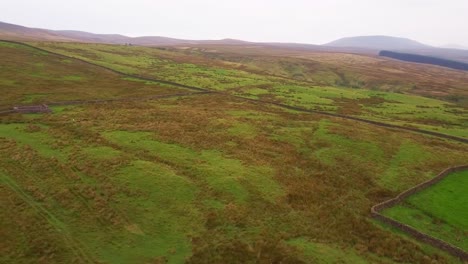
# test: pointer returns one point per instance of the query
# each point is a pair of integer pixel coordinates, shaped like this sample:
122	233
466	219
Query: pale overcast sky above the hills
435	22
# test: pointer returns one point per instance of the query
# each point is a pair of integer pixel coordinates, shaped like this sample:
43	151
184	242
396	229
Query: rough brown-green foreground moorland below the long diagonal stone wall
206	179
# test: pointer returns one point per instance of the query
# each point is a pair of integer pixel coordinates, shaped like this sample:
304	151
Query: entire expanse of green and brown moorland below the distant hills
222	153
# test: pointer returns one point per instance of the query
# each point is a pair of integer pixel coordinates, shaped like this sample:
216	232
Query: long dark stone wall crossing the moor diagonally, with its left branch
376	123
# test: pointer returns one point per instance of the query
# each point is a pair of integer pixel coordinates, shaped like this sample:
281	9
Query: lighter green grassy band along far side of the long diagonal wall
235	78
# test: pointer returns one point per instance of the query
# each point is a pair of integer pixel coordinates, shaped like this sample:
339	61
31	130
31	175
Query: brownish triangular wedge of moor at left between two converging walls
29	76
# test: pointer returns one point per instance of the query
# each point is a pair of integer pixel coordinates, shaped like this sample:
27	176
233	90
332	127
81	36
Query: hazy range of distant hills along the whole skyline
369	45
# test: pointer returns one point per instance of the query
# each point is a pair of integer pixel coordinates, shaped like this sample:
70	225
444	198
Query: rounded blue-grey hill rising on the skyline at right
377	43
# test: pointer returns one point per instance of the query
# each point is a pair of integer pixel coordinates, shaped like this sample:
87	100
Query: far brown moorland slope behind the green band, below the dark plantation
348	70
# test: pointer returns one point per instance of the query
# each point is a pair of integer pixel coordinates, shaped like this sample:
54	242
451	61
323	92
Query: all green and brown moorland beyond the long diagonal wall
343	88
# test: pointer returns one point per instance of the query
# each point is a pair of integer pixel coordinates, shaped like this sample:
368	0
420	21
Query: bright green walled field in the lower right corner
440	211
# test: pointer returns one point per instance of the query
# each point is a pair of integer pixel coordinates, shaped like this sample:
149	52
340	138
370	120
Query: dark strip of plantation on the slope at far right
425	59
